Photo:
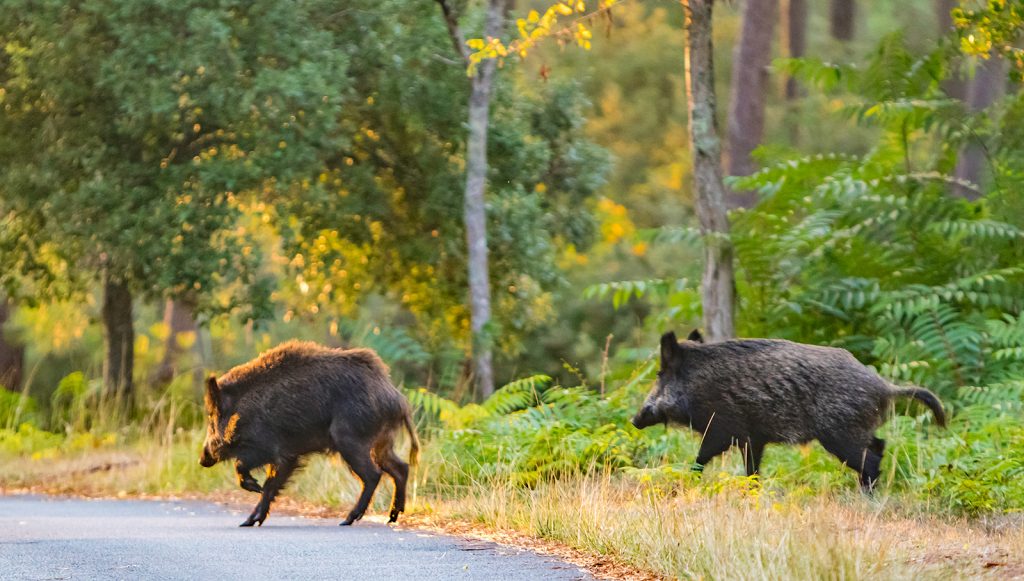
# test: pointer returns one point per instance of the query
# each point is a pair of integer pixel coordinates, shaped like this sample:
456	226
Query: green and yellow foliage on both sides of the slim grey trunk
385	218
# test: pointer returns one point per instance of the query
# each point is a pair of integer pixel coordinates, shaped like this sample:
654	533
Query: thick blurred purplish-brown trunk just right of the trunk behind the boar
750	89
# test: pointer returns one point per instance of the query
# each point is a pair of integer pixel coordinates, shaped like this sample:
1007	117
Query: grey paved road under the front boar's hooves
48	538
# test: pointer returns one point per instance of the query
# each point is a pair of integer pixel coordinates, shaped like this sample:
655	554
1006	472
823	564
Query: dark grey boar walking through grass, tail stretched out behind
755	392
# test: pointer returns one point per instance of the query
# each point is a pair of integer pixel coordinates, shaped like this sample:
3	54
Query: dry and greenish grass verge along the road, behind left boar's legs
720	527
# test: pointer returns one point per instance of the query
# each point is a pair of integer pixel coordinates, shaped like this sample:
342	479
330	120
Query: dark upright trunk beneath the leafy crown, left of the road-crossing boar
120	361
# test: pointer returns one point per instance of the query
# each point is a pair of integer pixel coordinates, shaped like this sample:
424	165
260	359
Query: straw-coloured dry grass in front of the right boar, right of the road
738	535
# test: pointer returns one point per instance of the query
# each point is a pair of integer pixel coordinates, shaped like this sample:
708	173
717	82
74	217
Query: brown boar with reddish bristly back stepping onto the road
301	398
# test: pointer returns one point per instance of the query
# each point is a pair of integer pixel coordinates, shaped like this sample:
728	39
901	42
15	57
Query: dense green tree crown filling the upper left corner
131	141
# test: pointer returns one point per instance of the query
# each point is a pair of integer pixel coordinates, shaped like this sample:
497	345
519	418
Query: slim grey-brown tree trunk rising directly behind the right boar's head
718	288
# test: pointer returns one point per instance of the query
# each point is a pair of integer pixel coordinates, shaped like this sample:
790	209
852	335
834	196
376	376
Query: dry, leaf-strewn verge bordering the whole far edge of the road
612	529
